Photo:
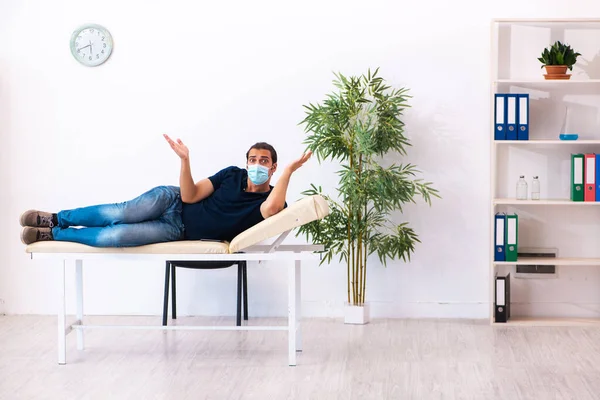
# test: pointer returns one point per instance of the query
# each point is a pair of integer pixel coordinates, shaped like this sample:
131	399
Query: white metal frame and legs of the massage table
275	251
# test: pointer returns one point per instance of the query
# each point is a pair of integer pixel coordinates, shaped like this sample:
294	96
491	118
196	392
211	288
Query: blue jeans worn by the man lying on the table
153	217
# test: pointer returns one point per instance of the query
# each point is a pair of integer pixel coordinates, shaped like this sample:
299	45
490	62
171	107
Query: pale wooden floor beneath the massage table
386	359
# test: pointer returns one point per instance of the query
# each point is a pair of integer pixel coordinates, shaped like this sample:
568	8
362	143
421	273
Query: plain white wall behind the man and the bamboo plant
221	76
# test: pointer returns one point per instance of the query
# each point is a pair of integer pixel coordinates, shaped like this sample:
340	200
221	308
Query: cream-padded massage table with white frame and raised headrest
246	246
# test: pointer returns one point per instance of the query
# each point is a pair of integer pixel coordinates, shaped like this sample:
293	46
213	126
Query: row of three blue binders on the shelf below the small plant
511	116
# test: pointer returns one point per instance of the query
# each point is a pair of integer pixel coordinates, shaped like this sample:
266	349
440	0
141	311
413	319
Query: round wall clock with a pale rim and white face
91	45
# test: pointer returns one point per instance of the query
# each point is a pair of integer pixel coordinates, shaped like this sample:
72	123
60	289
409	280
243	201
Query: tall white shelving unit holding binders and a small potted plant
516	45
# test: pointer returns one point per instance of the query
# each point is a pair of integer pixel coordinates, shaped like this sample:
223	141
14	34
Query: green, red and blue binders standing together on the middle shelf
584	170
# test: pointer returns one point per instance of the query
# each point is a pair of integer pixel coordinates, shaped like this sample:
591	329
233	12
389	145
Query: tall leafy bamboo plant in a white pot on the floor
358	124
